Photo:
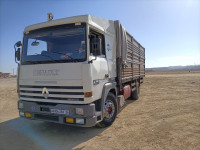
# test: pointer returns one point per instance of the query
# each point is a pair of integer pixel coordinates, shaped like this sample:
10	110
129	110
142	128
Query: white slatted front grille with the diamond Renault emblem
68	93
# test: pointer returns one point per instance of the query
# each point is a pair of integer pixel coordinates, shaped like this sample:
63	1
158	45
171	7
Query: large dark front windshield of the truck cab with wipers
55	44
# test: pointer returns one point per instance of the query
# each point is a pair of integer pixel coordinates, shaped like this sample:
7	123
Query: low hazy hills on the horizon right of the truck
171	68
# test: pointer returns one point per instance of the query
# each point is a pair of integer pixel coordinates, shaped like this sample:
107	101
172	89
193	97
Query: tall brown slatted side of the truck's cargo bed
130	57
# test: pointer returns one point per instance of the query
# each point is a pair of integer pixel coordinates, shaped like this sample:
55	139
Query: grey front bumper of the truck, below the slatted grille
42	111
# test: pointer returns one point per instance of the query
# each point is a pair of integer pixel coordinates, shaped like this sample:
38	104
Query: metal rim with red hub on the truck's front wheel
109	109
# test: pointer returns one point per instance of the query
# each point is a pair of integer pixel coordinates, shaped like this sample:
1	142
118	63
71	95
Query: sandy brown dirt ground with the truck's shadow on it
167	116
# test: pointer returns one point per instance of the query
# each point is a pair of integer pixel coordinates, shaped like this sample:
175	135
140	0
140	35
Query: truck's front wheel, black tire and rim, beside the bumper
110	111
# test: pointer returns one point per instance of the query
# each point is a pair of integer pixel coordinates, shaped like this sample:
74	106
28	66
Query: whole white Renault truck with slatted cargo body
77	71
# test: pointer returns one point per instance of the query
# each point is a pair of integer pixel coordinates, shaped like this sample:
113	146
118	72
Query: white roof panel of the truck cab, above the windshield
97	22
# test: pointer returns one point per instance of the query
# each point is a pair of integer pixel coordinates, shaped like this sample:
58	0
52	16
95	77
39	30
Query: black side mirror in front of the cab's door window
96	46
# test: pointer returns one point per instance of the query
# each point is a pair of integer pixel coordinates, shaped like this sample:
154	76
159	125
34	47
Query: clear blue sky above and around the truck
168	29
